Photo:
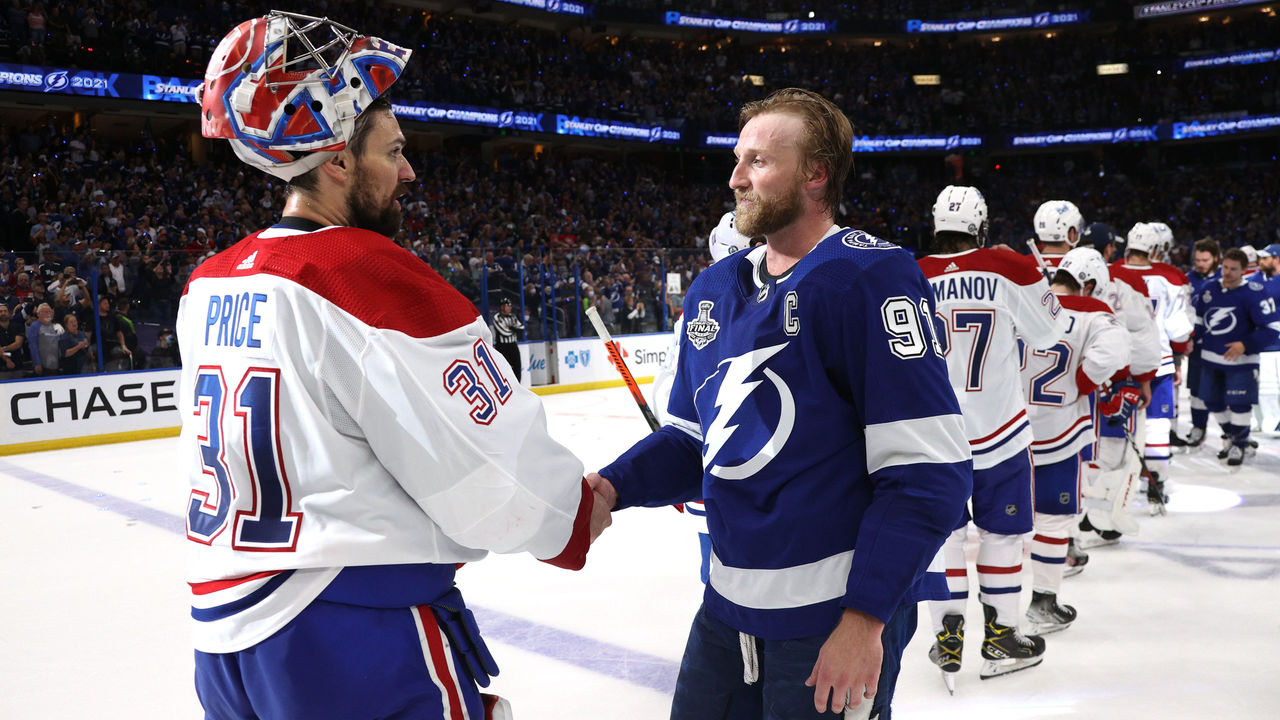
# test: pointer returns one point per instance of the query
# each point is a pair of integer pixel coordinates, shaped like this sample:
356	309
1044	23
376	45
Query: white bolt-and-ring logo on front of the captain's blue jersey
734	391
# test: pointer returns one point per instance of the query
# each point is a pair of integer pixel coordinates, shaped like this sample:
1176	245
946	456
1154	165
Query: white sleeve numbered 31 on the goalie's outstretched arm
467	443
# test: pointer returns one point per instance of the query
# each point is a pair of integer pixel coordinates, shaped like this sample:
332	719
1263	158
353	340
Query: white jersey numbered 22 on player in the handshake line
1059	381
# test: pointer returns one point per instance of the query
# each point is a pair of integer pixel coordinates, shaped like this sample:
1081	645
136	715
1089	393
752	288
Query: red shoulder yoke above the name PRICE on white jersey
362	272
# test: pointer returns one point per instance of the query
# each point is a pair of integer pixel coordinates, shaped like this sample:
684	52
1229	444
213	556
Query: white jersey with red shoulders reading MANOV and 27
986	299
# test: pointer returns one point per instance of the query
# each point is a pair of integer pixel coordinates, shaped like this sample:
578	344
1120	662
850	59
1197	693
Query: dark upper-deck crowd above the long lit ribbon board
1027	81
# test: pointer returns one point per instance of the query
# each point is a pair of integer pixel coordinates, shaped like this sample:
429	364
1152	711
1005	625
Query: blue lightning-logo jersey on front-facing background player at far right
1245	313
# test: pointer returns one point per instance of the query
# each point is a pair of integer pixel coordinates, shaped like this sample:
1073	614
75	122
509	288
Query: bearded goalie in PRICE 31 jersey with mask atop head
346	450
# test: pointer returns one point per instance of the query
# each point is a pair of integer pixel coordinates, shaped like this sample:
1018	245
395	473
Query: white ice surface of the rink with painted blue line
1176	623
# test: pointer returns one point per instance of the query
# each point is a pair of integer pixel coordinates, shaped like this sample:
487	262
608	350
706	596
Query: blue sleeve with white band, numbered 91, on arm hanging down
917	452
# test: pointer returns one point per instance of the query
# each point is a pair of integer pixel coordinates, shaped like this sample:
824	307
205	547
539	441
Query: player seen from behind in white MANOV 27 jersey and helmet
985	299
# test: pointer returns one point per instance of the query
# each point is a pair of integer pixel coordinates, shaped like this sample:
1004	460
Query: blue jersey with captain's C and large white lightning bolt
815	416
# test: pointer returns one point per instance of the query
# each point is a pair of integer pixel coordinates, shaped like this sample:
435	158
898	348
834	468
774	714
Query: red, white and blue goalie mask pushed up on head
286	89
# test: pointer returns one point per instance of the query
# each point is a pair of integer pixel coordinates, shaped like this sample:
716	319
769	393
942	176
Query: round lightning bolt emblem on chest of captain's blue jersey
758	404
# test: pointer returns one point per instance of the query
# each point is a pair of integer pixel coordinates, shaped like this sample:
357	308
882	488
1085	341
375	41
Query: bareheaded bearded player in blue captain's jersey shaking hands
779	420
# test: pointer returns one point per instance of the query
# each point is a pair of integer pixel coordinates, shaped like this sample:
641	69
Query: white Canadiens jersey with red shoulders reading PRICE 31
344	407
